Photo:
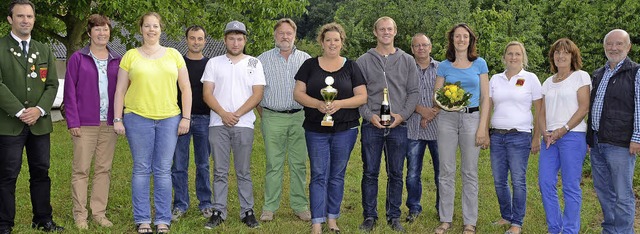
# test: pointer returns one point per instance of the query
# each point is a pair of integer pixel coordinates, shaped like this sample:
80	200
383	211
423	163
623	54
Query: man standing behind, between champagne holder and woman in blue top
421	126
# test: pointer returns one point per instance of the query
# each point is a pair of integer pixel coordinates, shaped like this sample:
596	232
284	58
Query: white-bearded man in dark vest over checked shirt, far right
613	132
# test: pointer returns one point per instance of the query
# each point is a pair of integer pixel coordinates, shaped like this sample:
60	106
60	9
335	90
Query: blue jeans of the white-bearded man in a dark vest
612	170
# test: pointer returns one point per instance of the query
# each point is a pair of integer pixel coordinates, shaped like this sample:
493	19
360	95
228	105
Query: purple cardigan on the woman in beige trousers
81	92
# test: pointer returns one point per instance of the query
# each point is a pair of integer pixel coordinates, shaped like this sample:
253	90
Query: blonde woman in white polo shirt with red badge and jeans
511	94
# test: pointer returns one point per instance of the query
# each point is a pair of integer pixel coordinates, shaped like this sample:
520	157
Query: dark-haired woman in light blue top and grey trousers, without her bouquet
467	128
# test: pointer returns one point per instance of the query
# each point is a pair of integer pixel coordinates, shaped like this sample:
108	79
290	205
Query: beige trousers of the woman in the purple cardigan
99	141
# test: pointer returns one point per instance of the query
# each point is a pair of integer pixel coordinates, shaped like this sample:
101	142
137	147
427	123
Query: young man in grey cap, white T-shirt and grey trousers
233	86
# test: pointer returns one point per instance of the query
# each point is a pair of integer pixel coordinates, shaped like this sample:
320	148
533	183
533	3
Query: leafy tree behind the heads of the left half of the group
65	20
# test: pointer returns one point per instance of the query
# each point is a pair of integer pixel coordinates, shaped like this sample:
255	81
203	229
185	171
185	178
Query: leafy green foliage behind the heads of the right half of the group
537	24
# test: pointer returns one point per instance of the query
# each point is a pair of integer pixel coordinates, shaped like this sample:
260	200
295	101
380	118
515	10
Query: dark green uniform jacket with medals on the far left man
25	84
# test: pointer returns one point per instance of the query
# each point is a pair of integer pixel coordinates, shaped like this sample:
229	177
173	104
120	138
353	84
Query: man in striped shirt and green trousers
282	119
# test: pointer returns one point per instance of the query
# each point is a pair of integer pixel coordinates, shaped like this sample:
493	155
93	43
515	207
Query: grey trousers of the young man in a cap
222	140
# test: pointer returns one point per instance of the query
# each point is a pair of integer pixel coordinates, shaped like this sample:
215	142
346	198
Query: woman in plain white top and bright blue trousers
565	103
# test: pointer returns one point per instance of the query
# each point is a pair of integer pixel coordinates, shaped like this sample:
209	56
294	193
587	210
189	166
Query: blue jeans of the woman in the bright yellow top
152	143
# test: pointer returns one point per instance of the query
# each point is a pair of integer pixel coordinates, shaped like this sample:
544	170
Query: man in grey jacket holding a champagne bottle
392	87
